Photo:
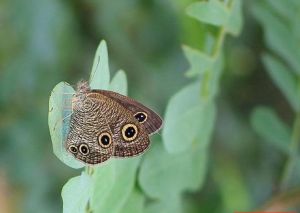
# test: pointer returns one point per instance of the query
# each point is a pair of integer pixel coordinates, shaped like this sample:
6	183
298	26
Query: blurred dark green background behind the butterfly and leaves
44	42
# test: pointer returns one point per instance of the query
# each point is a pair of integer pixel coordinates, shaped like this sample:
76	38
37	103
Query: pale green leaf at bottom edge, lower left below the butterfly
76	193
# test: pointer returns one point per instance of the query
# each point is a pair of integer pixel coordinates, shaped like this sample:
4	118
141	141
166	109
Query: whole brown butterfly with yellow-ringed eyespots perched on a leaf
106	124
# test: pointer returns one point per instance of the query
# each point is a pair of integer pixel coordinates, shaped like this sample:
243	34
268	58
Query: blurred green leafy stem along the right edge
282	63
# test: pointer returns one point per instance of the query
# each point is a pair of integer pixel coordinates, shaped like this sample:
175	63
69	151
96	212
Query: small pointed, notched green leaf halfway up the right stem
199	61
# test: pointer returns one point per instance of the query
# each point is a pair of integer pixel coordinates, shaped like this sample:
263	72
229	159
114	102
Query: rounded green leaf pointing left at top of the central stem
211	12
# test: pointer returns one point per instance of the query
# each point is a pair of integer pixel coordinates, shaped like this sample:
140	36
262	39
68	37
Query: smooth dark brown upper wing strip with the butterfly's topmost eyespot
153	121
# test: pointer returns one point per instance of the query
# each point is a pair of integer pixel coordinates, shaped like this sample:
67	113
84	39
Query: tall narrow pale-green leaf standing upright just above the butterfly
99	78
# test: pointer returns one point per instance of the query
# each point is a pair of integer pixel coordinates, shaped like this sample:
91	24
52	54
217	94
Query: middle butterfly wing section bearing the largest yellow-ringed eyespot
128	135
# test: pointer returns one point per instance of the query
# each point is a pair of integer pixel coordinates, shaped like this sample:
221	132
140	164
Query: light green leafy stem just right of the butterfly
190	114
